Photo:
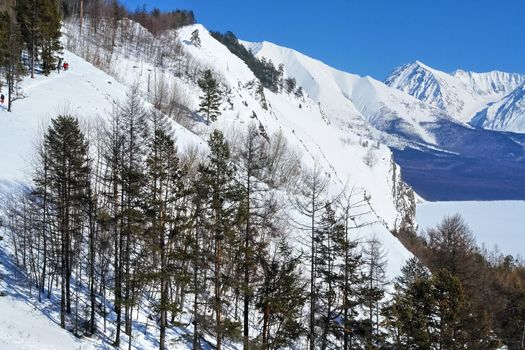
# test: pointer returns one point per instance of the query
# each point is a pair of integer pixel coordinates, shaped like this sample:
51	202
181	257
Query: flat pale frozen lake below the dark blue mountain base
497	223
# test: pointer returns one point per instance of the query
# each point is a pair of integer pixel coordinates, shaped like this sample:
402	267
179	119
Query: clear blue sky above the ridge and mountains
371	37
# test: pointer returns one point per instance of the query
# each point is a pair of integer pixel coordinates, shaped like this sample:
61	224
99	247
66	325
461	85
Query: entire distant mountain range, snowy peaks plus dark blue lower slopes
449	132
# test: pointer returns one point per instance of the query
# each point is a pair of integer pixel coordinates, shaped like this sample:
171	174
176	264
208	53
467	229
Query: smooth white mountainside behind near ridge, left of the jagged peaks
348	98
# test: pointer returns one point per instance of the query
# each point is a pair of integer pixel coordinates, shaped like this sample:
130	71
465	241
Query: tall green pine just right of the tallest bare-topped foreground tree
165	214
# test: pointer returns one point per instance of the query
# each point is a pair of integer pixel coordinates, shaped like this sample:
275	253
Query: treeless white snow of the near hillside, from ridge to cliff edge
90	94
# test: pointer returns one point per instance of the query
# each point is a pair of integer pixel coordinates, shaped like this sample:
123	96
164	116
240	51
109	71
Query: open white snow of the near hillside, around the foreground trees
348	157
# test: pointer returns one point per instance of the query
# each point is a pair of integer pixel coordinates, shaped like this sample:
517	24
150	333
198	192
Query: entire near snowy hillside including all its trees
163	187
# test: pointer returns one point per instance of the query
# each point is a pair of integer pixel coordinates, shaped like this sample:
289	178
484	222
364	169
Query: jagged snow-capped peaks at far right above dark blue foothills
492	100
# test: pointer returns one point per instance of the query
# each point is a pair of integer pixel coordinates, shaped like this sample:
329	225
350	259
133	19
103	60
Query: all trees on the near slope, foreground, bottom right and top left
116	219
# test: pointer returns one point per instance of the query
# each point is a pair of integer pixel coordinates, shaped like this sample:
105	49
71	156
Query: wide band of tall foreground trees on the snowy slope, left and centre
117	214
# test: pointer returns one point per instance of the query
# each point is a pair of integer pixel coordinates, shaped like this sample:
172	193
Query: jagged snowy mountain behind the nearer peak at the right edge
460	94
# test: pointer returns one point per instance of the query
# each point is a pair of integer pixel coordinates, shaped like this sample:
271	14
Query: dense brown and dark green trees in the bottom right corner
479	295
